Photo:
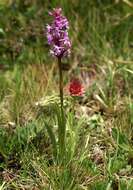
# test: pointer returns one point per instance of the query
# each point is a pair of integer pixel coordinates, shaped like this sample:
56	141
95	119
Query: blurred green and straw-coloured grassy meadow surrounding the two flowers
99	139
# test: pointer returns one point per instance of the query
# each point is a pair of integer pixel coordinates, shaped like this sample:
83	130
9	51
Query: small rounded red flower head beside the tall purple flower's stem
76	88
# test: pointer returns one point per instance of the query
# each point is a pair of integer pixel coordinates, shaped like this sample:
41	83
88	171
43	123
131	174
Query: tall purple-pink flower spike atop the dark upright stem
57	34
